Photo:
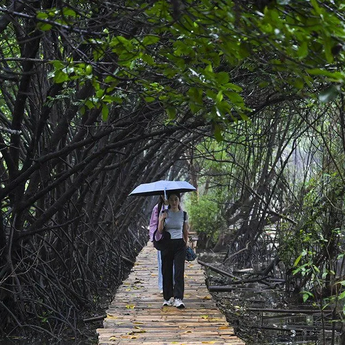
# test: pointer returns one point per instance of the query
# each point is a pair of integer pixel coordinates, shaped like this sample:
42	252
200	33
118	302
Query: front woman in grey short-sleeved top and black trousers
174	221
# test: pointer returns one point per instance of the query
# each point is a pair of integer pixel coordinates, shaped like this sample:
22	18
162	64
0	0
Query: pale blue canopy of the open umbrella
162	187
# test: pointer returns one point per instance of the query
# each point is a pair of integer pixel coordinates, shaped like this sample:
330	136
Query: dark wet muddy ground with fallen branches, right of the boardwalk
264	313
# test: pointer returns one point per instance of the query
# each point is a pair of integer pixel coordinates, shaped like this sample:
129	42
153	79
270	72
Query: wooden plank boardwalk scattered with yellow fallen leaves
136	315
